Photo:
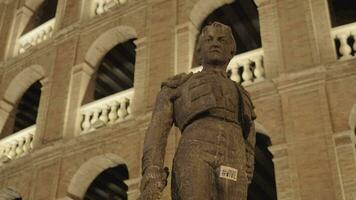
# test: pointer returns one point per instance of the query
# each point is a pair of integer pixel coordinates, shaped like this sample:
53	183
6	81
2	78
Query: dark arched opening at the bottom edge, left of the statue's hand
109	184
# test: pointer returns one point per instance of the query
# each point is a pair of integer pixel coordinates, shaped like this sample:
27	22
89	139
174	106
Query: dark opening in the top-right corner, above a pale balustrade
342	12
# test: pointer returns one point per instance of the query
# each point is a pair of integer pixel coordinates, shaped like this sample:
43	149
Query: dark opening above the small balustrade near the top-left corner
45	11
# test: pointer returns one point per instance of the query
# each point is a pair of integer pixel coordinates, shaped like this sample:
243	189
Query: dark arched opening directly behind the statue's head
242	17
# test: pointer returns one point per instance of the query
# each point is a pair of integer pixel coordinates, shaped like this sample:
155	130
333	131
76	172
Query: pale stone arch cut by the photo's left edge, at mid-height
17	87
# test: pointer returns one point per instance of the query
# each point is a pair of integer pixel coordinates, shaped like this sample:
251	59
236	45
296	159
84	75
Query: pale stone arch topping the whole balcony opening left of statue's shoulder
107	41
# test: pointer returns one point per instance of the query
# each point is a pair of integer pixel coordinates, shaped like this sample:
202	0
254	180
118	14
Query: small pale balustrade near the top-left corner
36	36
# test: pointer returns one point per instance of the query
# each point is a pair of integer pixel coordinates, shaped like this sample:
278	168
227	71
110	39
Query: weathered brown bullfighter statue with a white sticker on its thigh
215	156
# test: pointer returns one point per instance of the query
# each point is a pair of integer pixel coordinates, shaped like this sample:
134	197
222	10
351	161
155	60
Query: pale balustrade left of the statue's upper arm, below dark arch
109	110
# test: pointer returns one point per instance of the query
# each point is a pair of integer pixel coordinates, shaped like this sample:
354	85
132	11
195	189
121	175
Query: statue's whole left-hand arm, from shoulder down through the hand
154	175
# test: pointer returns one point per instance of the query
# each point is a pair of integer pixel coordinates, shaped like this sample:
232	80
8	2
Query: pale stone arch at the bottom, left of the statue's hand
88	171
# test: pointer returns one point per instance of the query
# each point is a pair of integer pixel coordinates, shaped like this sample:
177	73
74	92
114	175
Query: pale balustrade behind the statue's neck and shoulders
245	68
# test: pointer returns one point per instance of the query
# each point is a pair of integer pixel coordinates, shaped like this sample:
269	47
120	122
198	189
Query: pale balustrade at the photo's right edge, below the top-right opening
344	35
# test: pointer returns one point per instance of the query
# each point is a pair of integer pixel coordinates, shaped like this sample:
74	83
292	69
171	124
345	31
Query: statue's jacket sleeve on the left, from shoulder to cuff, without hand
157	132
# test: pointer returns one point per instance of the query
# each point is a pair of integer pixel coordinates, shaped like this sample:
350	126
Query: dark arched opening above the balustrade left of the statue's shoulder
115	72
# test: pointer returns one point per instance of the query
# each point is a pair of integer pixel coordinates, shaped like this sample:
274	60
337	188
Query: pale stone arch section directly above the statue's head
203	8
